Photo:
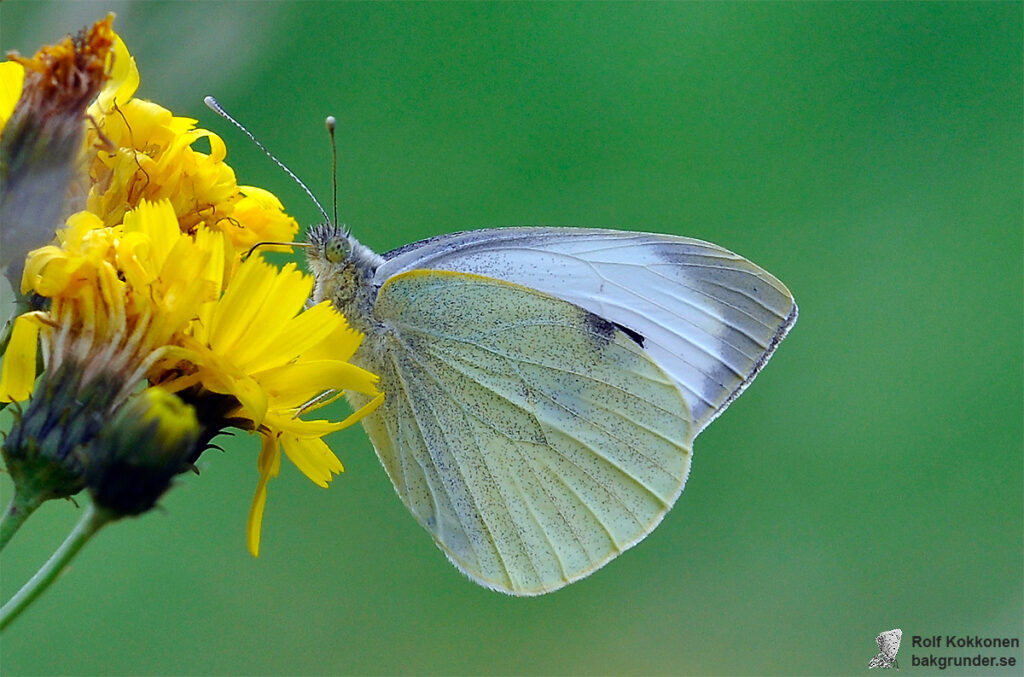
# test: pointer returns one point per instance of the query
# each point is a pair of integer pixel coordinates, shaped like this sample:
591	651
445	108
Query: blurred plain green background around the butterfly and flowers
868	155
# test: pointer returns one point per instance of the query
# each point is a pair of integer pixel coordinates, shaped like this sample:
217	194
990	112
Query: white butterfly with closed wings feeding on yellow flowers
544	386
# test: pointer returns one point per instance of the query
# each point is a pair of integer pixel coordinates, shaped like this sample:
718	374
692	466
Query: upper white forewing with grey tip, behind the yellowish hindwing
709	318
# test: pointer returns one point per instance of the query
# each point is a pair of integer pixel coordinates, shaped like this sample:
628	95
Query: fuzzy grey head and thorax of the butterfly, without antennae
344	271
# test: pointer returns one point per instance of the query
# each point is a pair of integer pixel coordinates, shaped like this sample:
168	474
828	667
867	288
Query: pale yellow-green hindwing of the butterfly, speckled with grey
534	440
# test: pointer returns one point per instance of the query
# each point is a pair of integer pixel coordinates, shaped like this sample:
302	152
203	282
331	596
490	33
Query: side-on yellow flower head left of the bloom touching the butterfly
119	298
